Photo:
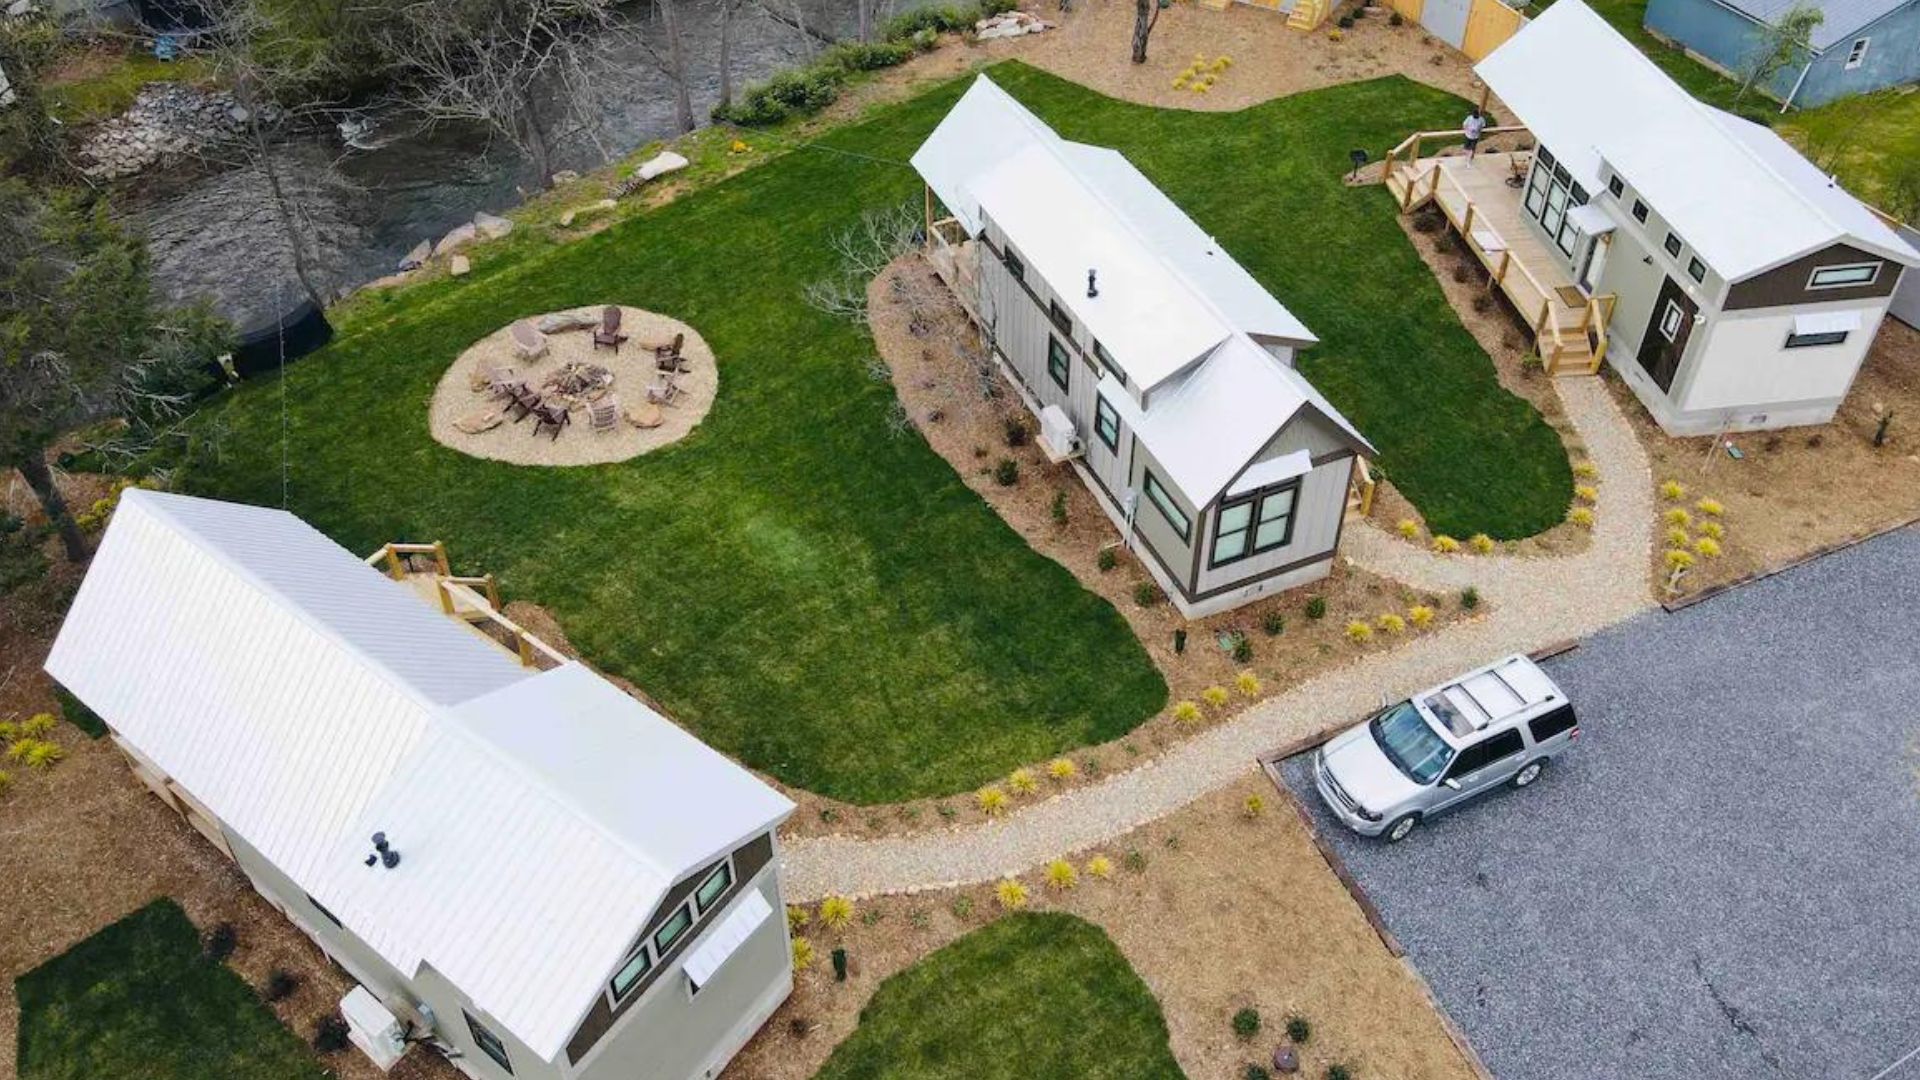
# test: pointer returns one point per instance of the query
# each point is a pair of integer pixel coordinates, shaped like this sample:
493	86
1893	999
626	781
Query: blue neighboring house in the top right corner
1863	45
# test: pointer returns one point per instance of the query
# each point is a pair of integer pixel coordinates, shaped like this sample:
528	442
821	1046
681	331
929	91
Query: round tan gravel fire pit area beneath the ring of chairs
464	406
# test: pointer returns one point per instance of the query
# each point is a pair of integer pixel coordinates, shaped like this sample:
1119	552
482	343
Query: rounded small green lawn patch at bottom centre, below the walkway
1026	998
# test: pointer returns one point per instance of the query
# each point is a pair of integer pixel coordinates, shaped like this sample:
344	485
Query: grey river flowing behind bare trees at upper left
214	233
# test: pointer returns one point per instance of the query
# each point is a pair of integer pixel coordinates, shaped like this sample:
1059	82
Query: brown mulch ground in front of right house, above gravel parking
1800	489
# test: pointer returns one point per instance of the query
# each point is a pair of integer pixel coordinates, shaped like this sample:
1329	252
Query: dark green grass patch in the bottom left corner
143	1000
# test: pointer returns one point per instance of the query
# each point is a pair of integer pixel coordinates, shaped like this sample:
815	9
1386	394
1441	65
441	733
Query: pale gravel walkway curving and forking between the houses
1531	604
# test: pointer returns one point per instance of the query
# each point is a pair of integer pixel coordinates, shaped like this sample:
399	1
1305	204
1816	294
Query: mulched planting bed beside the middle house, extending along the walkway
963	406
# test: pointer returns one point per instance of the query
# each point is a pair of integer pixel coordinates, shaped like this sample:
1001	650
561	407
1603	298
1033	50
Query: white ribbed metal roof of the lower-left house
310	702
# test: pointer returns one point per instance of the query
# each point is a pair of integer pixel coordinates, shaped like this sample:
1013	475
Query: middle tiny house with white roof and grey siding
1161	370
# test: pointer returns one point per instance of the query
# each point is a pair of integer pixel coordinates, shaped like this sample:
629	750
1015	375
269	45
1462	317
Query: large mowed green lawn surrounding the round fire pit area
802	587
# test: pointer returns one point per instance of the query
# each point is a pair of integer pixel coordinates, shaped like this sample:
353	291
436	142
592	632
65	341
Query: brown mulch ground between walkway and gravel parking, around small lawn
1260	923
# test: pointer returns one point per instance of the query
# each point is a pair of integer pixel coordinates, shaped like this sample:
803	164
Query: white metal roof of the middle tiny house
1176	312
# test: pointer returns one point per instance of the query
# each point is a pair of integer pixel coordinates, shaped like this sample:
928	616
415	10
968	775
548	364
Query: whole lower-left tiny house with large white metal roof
525	870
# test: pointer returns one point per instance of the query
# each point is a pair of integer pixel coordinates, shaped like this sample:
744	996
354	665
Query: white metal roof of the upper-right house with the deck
1735	193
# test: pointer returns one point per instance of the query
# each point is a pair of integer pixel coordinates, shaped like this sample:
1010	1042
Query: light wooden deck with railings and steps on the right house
1570	328
